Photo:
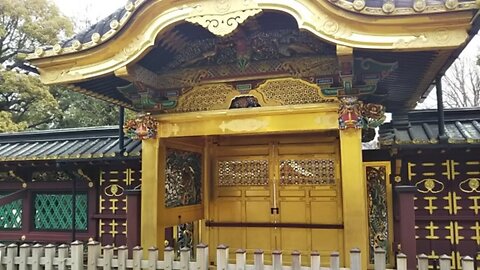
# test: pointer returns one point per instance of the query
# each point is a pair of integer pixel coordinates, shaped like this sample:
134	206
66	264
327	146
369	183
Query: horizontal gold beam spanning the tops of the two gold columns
266	120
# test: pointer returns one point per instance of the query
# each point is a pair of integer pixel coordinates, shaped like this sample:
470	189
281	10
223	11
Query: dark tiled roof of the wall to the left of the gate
74	143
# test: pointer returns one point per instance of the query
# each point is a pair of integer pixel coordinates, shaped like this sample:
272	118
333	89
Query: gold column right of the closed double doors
354	195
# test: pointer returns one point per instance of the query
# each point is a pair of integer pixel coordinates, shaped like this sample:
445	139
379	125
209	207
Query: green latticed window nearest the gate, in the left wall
54	212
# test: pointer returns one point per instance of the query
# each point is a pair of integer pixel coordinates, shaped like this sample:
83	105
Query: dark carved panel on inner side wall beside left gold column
183	181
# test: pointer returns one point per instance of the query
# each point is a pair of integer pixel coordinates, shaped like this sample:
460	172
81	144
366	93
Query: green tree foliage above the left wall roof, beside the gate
25	103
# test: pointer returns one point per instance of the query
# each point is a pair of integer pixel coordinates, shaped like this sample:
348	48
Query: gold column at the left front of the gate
152	230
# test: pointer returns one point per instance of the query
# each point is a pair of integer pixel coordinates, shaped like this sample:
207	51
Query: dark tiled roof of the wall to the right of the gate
462	126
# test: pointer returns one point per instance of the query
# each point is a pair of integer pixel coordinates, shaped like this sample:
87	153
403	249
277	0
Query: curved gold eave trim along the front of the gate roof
320	17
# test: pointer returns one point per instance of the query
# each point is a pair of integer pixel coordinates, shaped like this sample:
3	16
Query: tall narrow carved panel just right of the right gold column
377	209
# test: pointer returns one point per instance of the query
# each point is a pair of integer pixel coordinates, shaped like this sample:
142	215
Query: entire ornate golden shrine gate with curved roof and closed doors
258	108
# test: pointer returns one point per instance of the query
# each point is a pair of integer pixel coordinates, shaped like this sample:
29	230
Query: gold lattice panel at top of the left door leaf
243	172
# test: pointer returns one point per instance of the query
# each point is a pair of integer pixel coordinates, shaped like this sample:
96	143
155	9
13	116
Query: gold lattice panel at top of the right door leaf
307	172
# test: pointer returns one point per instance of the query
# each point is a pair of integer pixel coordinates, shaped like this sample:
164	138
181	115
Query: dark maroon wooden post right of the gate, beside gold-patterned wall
406	222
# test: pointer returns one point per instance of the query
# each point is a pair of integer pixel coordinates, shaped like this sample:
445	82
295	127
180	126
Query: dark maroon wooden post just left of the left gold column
133	217
